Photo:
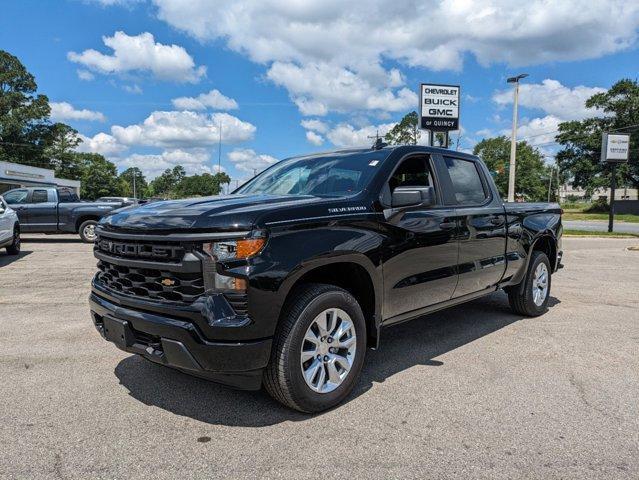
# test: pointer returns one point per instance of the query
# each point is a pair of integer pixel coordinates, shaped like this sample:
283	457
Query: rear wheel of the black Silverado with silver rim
530	298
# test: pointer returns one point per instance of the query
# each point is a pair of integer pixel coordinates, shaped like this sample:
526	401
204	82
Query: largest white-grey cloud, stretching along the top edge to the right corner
432	34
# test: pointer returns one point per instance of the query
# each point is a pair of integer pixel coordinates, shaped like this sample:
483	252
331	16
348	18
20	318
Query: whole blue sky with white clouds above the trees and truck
307	76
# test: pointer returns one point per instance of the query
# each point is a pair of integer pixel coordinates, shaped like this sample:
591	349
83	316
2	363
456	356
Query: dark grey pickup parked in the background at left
57	210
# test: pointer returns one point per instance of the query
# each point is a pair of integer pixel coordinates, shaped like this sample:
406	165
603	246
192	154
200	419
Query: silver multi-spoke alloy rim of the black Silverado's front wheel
328	350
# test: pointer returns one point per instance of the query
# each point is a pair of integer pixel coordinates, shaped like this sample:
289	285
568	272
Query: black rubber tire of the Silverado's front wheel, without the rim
283	377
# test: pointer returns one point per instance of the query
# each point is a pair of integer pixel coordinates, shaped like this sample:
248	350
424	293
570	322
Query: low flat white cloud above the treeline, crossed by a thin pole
184	130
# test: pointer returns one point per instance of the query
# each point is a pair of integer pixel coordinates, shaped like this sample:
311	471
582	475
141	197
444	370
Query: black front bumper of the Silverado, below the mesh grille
180	344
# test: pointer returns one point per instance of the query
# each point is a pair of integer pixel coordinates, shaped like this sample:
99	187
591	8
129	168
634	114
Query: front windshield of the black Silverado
333	175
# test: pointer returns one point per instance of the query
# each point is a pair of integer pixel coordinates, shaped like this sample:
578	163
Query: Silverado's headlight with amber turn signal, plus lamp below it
232	250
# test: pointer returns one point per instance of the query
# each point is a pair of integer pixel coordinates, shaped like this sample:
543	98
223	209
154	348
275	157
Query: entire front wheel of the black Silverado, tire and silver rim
318	350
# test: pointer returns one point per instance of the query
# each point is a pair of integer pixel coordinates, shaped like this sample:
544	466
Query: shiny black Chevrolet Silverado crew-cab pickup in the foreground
287	281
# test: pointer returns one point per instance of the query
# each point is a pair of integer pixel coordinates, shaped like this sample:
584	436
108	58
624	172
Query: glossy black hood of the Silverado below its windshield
222	213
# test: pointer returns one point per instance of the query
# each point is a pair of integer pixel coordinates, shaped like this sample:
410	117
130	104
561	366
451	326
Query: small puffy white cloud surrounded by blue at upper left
140	53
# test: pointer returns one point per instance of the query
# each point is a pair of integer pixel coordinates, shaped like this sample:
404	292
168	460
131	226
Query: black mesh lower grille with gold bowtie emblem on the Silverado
151	284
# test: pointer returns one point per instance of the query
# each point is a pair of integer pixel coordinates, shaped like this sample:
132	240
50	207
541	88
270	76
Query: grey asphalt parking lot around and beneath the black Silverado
472	392
